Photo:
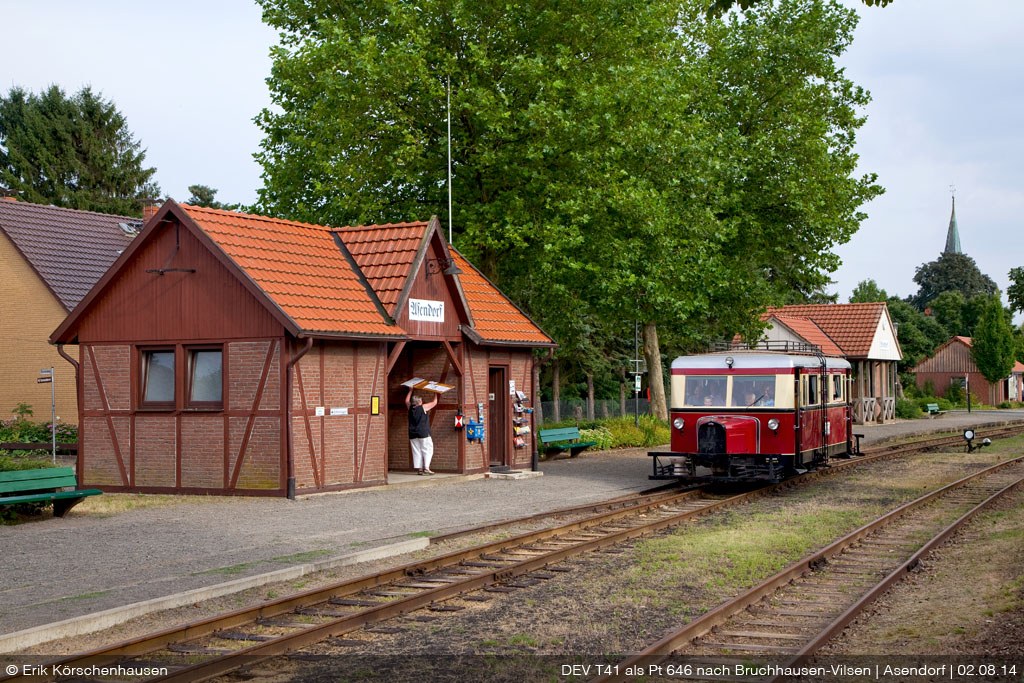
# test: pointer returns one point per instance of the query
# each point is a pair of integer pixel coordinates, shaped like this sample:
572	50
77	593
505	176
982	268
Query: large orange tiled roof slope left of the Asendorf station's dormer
301	269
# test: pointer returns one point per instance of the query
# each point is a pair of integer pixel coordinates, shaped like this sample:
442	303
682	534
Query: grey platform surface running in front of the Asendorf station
61	569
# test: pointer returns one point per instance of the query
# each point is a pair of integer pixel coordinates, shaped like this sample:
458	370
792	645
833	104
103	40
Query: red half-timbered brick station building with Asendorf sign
233	354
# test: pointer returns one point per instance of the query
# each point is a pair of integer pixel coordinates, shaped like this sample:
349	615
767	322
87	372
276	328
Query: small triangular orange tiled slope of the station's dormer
386	254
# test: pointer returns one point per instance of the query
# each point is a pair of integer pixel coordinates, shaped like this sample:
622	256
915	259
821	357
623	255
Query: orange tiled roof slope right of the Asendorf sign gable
495	318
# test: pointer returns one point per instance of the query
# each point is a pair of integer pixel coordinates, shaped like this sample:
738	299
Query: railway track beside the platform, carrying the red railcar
218	646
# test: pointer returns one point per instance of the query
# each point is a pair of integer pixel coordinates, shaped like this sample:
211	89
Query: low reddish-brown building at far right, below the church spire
953	364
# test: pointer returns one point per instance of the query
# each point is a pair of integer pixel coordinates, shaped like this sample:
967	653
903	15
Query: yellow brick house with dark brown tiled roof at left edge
50	259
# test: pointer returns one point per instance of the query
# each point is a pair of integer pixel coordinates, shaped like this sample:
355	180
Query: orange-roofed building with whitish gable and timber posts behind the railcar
862	333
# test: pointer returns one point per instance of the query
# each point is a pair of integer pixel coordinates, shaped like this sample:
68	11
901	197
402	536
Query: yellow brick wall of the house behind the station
29	313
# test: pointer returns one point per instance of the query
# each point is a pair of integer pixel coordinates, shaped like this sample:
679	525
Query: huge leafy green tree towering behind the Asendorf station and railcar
613	160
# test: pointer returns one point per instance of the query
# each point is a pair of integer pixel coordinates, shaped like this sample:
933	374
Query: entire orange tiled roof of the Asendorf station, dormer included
303	270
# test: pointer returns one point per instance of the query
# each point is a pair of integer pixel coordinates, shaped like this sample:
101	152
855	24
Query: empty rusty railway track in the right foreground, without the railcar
791	616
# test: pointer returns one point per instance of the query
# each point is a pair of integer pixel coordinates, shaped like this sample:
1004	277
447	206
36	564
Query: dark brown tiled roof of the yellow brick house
70	249
